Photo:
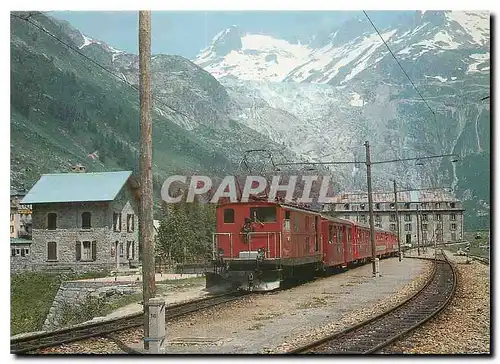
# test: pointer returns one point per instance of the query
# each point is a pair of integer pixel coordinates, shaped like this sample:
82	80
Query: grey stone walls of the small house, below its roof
69	232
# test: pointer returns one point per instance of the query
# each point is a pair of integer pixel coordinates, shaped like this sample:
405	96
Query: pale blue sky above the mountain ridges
186	33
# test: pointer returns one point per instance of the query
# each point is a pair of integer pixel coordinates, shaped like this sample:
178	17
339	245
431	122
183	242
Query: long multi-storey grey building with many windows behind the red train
424	216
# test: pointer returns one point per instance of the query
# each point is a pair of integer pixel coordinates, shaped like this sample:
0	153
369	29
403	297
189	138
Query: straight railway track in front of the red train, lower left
27	344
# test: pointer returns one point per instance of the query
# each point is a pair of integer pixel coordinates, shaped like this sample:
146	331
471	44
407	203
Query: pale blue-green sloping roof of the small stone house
77	187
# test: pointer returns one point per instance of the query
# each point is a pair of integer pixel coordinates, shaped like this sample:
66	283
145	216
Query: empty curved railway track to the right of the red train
376	333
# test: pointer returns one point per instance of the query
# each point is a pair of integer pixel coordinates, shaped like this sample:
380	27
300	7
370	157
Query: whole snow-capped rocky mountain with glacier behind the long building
328	96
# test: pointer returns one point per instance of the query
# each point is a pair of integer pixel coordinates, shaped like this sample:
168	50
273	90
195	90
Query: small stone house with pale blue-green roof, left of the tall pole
84	221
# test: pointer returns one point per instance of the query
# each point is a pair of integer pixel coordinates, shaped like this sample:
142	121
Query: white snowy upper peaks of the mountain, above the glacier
263	57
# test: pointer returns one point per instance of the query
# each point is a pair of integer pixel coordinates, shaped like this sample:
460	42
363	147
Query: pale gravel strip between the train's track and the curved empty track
277	322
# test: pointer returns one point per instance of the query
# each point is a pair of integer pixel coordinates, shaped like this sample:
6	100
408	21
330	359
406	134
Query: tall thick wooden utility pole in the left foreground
146	177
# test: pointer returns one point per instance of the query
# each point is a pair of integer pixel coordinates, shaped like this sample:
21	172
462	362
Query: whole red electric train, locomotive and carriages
260	244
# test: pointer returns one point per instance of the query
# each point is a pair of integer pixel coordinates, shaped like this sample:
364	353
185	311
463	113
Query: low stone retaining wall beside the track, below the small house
74	294
